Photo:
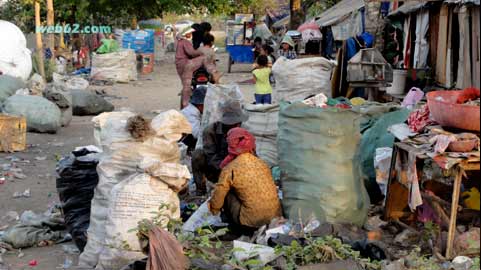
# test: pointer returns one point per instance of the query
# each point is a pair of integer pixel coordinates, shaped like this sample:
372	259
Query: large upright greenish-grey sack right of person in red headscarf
316	156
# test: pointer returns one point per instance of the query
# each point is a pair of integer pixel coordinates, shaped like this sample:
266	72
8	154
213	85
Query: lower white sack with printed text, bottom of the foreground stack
134	199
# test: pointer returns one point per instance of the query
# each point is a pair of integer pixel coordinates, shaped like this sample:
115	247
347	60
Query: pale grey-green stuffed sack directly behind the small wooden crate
42	115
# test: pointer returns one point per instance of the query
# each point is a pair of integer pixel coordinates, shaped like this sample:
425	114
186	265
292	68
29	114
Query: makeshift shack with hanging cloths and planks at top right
440	42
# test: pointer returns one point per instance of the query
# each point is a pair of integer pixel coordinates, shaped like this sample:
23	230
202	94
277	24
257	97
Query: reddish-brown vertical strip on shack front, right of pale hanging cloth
442	45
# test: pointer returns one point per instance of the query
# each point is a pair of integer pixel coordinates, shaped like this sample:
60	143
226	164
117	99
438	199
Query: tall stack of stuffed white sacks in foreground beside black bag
136	177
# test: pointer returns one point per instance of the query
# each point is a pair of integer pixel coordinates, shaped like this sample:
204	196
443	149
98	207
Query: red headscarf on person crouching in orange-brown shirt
240	141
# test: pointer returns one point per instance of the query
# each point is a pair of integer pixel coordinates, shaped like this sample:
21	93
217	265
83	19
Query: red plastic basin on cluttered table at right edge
445	111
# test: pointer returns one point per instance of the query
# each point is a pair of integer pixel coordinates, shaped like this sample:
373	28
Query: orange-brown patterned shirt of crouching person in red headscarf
250	179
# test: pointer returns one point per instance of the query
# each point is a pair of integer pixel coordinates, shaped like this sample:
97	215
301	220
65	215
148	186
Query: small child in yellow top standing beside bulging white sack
263	94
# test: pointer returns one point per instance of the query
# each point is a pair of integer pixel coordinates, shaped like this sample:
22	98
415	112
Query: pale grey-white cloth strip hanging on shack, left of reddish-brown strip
421	49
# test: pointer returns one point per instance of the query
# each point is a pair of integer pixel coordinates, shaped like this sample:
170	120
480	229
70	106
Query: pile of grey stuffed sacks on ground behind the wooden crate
47	107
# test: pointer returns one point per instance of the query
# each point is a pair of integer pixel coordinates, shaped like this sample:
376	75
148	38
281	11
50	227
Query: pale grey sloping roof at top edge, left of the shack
339	12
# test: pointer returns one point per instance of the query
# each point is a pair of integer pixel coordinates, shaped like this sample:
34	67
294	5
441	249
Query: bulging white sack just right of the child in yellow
300	78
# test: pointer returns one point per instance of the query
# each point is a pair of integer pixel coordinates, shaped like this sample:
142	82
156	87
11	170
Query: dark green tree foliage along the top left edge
111	12
